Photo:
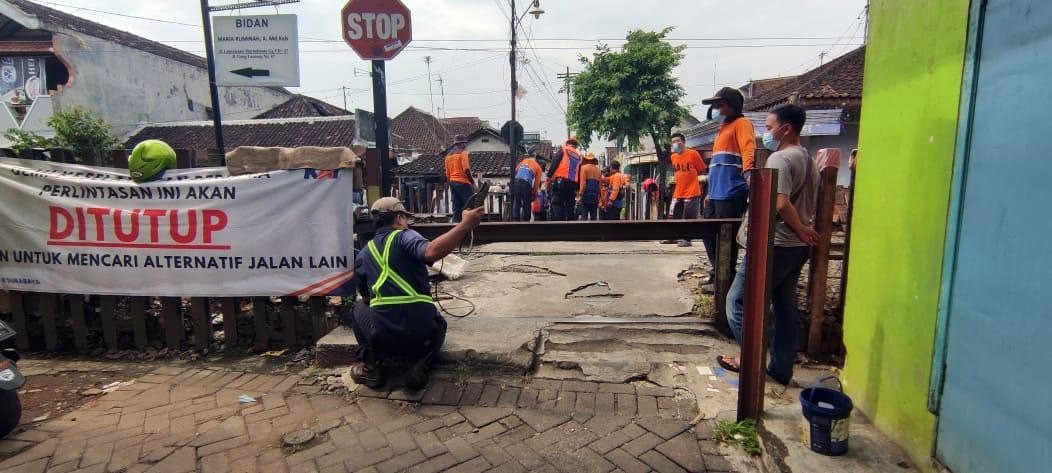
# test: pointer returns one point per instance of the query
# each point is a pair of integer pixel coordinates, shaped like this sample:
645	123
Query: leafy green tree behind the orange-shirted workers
630	94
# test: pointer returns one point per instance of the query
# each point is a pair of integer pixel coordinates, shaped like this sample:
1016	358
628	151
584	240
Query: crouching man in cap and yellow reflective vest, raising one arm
396	318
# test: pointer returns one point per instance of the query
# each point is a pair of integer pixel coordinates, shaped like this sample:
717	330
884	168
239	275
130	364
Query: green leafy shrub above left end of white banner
76	129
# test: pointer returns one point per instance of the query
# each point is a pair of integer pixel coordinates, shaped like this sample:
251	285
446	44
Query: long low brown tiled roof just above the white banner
288	133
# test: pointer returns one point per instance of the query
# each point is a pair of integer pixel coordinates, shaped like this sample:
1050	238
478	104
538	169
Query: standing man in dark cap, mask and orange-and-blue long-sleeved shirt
734	153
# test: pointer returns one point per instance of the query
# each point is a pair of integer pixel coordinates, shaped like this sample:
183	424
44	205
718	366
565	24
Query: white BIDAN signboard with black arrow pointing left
257	50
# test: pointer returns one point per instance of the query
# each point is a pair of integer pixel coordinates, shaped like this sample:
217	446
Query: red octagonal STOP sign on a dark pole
377	30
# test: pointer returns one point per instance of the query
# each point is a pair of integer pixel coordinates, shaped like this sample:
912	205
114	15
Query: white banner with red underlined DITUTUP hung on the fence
195	233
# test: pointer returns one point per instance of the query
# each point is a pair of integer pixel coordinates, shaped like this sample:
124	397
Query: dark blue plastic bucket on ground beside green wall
828	413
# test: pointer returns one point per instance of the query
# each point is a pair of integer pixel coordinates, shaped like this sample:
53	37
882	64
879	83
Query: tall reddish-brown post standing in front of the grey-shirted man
760	257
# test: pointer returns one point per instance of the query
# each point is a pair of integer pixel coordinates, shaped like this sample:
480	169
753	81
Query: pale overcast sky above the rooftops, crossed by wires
785	38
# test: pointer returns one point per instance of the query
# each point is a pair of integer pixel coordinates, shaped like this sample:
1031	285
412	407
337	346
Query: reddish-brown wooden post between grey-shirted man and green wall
819	275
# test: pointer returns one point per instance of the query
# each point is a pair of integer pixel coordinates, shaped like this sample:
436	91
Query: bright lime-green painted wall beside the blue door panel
915	63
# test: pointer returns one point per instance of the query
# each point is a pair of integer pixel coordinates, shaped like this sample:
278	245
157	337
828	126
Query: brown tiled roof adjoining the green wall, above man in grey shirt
839	80
